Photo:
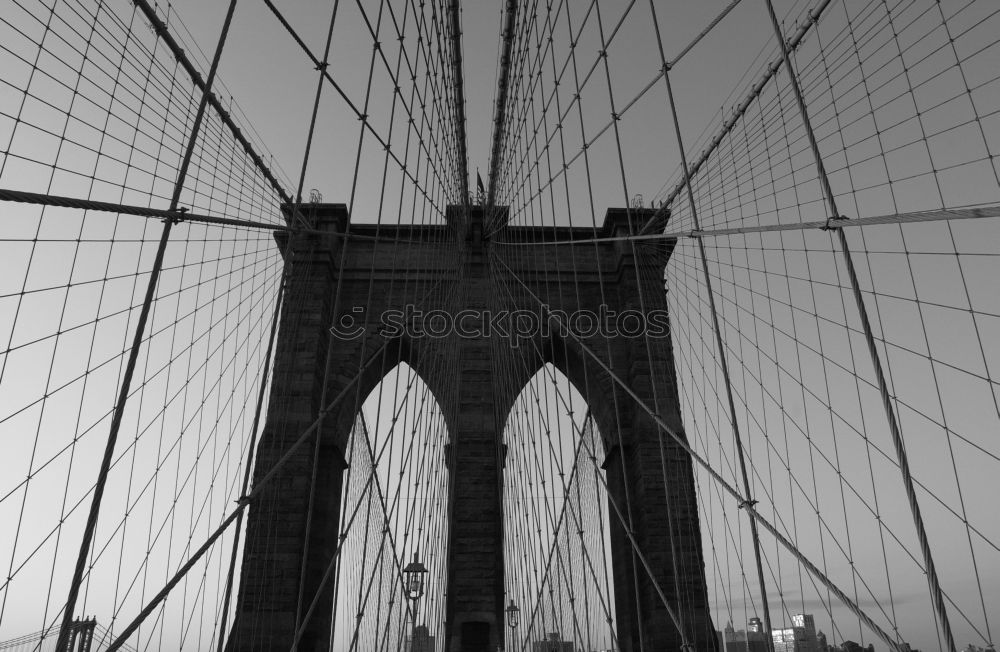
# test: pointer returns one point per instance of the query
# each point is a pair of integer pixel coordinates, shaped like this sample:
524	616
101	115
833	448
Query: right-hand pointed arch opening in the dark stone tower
557	543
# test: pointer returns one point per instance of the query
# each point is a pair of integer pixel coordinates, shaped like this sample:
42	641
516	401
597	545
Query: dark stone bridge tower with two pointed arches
457	267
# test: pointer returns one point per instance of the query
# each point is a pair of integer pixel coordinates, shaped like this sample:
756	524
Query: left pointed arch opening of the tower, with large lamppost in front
393	508
